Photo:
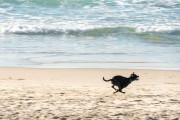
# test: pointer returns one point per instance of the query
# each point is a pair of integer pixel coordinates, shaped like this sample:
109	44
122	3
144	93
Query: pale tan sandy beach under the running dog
45	94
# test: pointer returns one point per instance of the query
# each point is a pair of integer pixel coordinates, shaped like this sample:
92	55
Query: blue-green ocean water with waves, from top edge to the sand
132	34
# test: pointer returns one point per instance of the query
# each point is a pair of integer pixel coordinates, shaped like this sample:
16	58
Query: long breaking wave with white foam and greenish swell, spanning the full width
85	31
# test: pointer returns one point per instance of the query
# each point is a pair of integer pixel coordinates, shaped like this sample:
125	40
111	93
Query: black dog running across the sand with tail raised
122	82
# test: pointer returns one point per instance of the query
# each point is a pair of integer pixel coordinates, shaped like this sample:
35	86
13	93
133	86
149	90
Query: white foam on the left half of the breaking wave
42	28
